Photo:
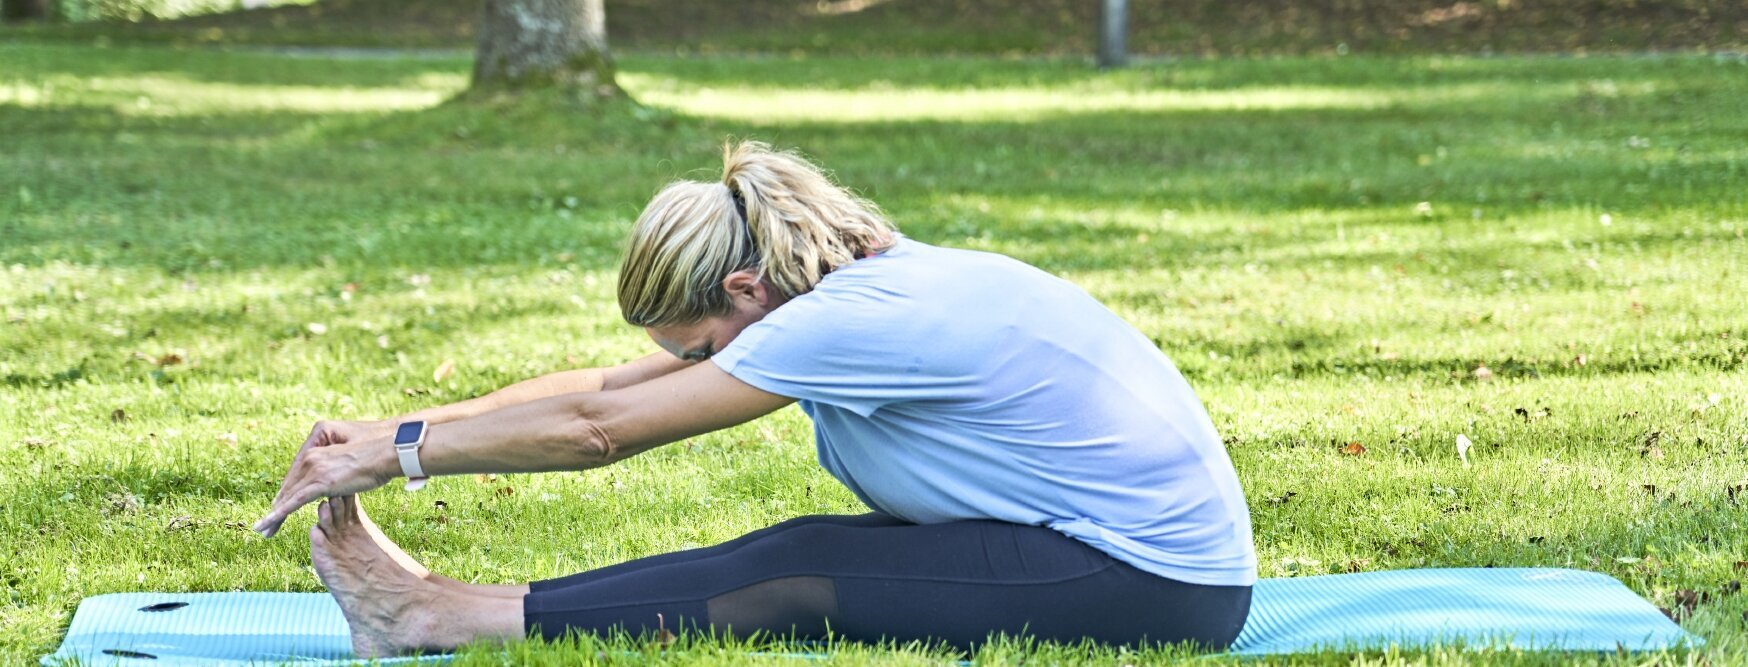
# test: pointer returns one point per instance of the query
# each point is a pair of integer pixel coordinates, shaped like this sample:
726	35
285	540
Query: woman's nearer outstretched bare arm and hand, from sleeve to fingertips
569	432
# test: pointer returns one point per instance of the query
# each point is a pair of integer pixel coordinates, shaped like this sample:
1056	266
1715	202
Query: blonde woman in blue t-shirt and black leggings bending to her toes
1034	464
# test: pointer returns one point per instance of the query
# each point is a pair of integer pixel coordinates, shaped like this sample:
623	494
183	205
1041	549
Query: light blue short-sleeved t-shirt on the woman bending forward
954	385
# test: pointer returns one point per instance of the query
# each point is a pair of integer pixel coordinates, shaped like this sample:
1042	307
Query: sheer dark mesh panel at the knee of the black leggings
800	607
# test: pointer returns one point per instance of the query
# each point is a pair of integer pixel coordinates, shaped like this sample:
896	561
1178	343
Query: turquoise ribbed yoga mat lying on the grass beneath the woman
1532	609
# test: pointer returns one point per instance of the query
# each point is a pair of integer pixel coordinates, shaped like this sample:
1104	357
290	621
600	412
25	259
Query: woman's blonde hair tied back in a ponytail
798	228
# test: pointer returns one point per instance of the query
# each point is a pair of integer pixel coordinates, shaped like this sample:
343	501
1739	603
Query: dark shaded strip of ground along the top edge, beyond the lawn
999	27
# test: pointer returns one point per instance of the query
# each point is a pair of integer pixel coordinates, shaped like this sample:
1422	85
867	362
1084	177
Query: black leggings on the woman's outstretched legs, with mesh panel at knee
880	579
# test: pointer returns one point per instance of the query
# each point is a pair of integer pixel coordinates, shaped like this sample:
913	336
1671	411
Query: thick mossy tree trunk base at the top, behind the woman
527	45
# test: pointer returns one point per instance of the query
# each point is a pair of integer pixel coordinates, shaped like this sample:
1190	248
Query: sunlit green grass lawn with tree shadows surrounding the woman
205	252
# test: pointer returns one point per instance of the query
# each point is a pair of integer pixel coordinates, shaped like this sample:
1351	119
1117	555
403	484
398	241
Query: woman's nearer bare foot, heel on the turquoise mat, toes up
387	607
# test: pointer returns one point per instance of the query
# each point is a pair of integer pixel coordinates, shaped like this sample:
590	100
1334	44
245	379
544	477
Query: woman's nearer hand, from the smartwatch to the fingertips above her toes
333	471
